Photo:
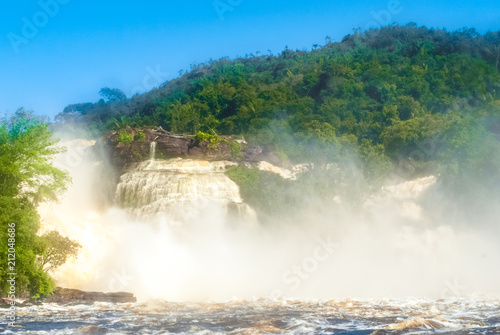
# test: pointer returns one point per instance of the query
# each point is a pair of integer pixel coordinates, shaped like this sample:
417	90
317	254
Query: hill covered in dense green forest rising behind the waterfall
423	99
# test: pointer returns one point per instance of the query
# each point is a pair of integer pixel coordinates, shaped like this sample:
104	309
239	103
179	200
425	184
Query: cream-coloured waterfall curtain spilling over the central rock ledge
176	187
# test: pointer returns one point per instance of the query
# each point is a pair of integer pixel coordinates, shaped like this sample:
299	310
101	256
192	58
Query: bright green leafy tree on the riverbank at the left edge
27	177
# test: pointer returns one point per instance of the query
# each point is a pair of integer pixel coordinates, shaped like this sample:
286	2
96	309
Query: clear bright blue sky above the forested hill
57	52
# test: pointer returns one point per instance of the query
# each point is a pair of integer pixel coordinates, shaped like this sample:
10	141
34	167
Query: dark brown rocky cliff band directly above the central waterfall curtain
170	146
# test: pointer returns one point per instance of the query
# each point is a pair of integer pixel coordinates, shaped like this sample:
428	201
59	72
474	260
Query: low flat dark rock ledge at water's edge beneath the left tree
68	295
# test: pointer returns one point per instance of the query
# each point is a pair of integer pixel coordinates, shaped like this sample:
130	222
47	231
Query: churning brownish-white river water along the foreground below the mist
258	317
